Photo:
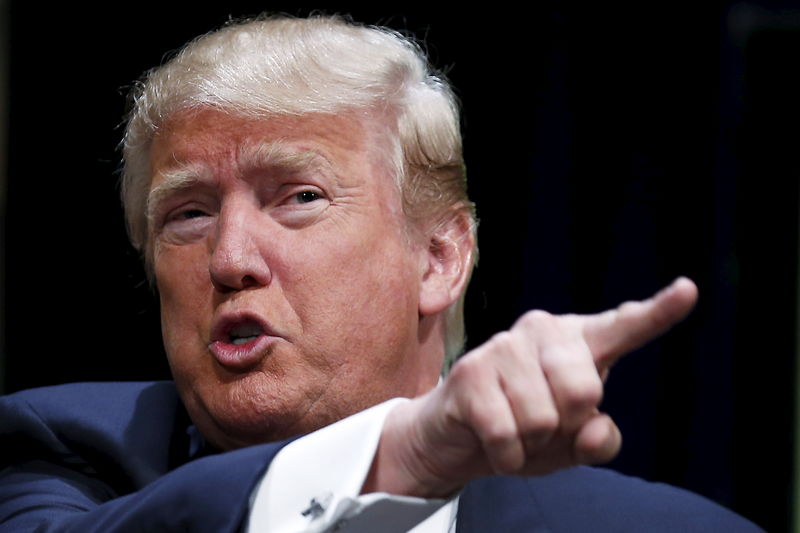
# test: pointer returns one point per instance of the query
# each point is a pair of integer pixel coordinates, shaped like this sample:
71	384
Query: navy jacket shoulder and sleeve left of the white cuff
111	469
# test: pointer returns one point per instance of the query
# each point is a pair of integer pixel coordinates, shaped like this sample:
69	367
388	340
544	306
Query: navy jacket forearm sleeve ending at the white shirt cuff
210	494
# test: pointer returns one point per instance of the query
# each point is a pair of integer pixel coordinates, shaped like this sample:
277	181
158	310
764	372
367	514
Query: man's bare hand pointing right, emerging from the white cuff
525	402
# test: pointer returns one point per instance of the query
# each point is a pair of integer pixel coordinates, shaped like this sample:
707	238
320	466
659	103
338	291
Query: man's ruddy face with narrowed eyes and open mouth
289	283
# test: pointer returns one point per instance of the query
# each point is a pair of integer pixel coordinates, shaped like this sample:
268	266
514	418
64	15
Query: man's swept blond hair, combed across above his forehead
280	65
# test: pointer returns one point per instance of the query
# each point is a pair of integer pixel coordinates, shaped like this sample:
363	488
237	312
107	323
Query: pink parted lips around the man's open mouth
240	356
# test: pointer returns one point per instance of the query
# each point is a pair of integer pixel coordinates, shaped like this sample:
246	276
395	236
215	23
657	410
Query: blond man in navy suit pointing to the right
297	190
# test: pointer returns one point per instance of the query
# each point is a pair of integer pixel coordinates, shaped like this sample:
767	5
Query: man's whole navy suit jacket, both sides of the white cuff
115	457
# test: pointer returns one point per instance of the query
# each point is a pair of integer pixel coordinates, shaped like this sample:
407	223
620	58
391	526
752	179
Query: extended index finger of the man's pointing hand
616	332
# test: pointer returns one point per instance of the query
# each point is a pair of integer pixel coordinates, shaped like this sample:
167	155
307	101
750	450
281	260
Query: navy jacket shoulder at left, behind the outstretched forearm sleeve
132	429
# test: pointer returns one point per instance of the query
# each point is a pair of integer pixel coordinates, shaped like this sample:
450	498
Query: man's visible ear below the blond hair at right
447	264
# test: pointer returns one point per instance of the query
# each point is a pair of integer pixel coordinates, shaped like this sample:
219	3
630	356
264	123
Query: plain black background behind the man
609	151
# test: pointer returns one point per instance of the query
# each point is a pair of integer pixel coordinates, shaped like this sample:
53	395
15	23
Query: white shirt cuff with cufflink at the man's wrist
313	485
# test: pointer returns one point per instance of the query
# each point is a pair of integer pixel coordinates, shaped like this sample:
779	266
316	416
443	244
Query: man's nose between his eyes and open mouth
237	262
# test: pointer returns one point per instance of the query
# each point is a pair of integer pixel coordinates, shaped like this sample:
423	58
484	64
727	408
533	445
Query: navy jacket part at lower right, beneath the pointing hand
594	499
